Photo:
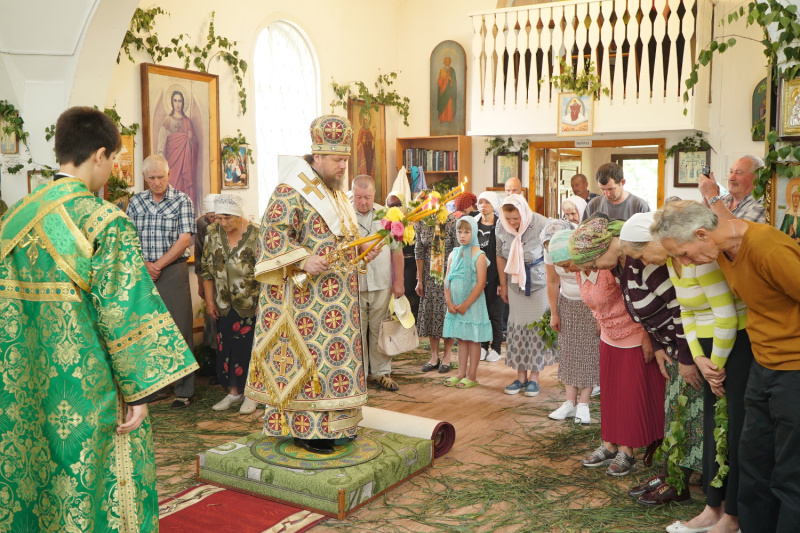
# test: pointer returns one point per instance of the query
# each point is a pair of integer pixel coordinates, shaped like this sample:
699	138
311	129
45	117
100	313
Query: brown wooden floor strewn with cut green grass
488	424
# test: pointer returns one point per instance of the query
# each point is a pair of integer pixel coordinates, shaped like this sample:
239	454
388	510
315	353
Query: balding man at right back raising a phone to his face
739	203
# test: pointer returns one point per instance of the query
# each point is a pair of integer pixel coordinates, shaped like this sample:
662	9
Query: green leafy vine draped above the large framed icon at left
141	35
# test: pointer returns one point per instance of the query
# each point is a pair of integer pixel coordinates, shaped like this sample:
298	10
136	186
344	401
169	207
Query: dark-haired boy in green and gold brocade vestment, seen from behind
84	340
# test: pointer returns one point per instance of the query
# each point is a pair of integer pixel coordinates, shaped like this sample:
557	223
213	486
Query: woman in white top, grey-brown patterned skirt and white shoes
578	341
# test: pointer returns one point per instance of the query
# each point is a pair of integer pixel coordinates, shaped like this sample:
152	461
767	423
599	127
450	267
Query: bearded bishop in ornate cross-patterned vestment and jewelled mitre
307	362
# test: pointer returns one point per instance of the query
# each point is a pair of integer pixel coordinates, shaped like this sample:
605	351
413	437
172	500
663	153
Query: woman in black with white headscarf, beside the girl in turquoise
488	210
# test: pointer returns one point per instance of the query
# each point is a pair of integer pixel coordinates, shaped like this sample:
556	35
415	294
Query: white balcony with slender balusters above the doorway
642	51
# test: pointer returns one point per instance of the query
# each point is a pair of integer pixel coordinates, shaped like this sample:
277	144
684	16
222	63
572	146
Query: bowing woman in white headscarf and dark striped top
651	298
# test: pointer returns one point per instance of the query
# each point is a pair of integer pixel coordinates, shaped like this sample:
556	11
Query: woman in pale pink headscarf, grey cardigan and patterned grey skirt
520	264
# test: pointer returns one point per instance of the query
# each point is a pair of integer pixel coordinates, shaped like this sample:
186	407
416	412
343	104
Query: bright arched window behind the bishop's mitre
287	99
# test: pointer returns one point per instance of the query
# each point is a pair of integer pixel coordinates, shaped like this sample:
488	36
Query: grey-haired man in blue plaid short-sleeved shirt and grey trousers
164	218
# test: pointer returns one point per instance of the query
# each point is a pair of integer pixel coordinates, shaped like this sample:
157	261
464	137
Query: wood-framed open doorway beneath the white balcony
554	163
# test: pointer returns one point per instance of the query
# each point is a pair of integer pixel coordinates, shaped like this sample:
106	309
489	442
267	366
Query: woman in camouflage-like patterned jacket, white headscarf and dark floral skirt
229	260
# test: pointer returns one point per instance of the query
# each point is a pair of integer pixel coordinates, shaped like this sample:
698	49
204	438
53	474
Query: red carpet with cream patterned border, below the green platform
206	508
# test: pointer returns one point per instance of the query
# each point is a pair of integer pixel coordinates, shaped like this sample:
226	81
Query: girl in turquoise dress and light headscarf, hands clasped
467	319
